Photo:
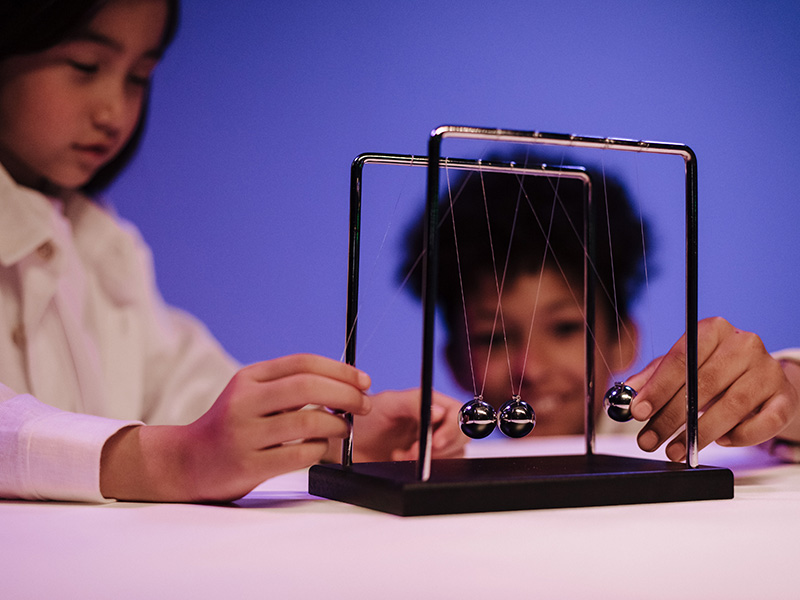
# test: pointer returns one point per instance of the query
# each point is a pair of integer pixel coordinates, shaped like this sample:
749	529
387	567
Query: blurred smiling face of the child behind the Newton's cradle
552	377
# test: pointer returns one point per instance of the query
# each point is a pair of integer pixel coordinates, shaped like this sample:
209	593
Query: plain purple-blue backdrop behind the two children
259	108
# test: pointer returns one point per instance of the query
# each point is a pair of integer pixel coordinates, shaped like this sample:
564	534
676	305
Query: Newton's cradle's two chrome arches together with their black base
446	486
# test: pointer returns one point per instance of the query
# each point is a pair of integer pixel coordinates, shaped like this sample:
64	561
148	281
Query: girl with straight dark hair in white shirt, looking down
89	351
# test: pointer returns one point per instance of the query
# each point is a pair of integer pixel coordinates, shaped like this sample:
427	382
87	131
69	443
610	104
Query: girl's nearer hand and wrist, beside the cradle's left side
255	430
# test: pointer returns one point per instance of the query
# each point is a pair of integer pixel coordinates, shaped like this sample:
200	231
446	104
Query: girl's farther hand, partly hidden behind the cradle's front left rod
391	430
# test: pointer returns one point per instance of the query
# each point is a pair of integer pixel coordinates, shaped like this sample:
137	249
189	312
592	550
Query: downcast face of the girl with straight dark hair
68	110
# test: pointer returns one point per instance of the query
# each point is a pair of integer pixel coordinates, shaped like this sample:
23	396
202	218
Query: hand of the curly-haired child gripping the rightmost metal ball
743	393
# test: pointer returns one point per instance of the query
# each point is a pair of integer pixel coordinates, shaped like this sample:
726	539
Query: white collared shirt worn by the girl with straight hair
87	344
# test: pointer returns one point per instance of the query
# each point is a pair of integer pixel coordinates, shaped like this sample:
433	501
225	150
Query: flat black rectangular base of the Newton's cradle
517	483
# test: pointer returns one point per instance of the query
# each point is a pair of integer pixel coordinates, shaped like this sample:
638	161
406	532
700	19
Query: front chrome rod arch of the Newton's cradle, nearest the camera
558	139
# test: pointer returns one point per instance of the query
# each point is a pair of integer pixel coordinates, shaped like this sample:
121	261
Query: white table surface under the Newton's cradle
281	542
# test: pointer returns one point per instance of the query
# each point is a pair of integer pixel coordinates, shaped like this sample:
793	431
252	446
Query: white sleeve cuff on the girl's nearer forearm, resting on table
50	454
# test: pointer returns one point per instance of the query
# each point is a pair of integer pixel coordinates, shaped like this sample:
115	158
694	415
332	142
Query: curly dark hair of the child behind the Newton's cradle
541	204
